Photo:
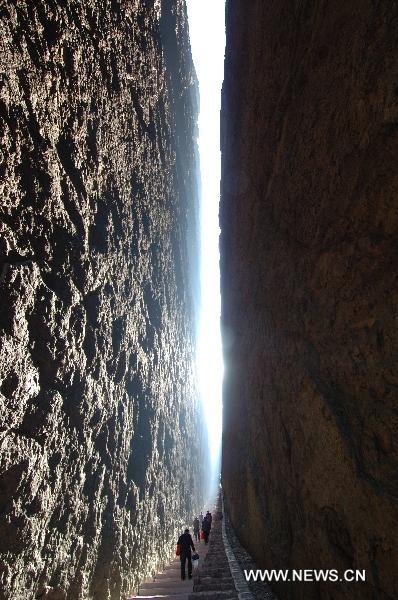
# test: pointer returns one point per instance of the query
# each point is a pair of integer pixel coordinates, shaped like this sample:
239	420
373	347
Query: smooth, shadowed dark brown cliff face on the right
308	256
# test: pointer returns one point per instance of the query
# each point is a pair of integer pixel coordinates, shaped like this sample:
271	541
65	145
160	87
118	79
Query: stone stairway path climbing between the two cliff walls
211	581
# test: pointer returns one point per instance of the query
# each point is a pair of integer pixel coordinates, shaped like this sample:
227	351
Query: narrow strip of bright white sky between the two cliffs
207	33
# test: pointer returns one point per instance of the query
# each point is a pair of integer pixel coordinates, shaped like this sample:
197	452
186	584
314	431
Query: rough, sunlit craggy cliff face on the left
100	456
